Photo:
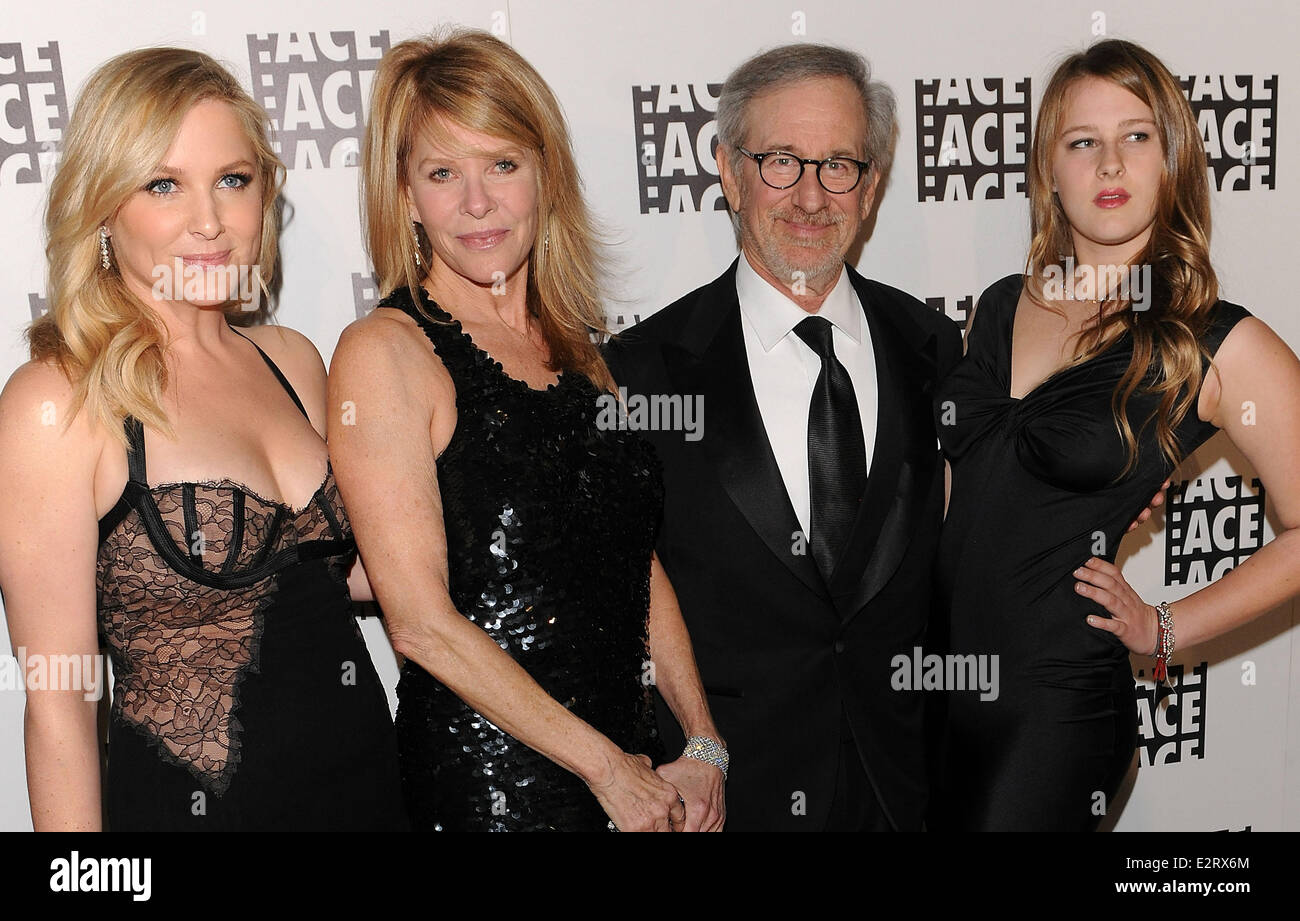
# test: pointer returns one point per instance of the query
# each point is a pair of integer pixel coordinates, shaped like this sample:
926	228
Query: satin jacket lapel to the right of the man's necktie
904	433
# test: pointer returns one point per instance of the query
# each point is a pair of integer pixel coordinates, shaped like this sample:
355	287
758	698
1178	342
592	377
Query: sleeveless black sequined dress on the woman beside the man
551	524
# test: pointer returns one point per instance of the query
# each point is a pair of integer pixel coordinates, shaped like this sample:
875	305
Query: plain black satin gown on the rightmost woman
1033	499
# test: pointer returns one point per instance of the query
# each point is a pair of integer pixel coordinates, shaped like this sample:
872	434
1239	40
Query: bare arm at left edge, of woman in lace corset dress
49	546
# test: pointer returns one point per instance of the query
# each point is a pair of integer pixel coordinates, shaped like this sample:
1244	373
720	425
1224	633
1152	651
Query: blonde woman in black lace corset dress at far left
245	698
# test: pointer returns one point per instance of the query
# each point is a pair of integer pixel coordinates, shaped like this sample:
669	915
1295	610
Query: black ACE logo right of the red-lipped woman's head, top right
1238	119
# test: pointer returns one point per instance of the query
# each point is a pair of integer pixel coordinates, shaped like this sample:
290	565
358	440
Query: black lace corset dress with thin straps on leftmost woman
245	697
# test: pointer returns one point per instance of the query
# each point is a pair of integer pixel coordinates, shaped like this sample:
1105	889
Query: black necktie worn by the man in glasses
838	453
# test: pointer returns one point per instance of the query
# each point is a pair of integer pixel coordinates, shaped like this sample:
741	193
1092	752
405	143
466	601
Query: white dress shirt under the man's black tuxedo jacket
785	371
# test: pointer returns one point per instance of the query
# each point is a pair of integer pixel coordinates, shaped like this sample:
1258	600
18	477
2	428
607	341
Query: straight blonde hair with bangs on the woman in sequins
479	83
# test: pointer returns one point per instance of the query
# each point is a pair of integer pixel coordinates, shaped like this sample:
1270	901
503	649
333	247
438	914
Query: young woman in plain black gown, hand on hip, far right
1046	477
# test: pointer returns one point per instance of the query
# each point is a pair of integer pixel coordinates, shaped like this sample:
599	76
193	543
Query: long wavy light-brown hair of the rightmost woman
1167	336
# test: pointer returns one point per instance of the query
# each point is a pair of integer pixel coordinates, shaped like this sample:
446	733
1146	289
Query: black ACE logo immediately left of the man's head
677	137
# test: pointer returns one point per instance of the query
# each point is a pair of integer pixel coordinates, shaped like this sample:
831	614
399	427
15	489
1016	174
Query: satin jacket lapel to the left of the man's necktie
736	440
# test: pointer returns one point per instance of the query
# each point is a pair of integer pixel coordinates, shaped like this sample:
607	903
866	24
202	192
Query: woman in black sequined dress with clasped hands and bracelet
509	535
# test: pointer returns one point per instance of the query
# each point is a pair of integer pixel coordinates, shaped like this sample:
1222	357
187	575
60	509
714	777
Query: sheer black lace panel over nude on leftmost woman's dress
180	646
